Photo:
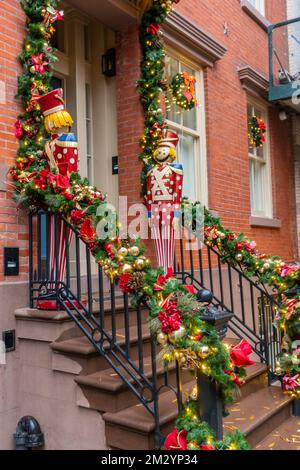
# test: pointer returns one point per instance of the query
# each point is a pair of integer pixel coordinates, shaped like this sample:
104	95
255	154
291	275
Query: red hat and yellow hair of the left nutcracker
53	108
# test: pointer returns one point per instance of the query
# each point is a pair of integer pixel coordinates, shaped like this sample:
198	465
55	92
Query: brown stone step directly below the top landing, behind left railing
79	351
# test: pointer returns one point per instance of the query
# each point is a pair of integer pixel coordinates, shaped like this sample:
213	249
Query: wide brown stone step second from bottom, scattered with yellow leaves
257	416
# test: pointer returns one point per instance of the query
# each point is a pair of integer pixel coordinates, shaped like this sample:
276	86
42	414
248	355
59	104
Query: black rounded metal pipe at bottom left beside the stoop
28	434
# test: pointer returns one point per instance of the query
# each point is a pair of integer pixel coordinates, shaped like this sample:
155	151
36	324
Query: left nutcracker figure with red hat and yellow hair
62	154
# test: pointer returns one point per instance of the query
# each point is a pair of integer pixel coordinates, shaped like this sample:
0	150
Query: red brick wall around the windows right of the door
226	119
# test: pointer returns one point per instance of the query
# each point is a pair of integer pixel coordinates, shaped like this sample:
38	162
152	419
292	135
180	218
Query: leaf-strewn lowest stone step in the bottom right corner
285	437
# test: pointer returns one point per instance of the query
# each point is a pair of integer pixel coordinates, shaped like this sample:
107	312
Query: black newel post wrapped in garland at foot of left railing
210	407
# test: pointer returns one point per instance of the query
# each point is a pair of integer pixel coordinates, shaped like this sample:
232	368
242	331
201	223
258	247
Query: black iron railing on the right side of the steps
253	305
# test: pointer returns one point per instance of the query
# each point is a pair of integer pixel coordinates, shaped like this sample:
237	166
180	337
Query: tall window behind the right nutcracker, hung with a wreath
190	127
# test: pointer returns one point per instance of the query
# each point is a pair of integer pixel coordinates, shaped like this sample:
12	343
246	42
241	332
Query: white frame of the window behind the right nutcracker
201	183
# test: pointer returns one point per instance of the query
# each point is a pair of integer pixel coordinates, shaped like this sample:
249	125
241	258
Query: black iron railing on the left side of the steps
102	312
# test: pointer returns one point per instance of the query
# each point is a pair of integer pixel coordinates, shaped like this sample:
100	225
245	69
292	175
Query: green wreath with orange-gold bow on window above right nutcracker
183	90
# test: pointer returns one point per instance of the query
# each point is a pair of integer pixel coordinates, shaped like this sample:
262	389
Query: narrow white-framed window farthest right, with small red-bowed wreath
260	177
